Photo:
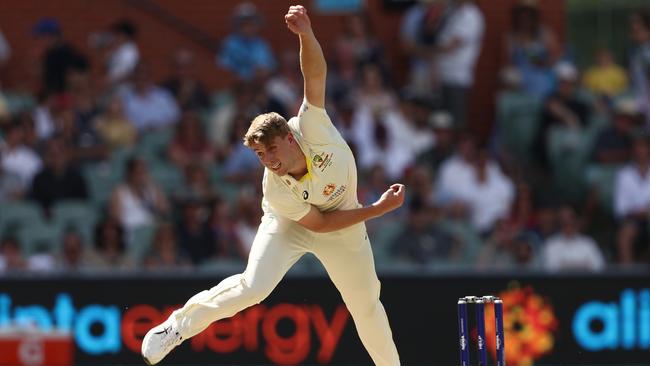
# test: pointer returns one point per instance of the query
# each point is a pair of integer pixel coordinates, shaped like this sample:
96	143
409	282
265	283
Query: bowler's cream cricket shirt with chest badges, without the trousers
331	181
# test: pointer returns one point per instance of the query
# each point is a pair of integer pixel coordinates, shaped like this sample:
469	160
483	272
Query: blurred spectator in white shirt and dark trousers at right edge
632	204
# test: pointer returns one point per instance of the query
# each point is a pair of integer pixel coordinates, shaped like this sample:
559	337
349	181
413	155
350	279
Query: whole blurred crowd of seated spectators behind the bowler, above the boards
132	173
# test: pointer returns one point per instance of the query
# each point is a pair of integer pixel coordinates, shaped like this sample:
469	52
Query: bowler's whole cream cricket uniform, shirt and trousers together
330	184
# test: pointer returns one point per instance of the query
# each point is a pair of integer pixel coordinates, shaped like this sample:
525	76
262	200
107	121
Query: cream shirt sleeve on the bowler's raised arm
315	125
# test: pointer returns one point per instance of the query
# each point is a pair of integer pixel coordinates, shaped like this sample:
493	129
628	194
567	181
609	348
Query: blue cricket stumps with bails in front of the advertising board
480	302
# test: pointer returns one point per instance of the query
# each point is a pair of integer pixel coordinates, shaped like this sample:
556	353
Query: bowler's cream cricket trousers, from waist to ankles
347	257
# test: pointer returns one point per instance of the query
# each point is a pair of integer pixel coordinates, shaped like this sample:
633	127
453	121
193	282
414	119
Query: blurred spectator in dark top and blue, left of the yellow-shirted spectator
533	48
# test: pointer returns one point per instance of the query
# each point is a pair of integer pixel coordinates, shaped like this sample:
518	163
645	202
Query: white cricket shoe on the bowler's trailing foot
160	340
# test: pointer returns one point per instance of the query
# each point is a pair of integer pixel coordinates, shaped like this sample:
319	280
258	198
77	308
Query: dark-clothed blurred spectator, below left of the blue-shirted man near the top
185	86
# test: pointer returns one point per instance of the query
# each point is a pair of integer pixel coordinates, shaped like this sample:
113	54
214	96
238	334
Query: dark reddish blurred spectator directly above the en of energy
165	253
